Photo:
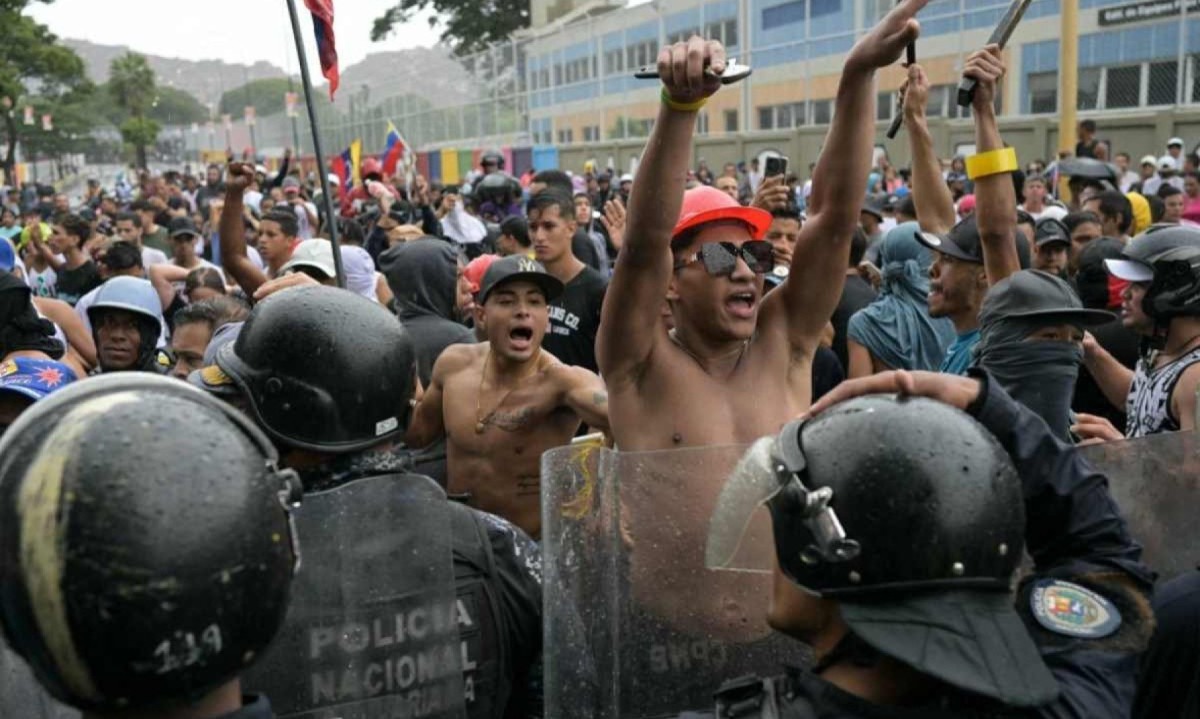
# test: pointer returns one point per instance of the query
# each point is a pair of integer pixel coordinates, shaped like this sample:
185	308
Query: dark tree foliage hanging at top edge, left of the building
471	26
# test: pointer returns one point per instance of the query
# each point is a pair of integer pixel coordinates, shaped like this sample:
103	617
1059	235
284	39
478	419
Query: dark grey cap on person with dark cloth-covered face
1034	293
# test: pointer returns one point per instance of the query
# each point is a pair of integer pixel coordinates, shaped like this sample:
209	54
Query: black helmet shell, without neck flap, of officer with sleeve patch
933	501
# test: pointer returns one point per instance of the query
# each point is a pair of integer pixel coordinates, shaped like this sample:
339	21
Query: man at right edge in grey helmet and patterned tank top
1161	303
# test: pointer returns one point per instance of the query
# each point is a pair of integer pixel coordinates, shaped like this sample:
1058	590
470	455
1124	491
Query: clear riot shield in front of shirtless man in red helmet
635	625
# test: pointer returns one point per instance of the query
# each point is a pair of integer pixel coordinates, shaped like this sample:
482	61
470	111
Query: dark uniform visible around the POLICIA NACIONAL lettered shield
499	585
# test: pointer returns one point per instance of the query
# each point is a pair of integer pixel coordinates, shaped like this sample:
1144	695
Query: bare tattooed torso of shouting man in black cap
499	469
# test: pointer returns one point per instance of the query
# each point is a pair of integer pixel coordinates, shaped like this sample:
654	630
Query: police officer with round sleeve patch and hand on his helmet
908	603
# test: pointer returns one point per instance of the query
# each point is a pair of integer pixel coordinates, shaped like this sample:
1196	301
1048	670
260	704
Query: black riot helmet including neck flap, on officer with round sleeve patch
917	534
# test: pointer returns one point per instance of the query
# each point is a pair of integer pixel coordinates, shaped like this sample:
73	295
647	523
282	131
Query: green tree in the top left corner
31	57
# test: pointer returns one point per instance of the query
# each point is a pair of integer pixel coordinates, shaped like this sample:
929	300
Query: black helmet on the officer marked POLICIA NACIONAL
325	369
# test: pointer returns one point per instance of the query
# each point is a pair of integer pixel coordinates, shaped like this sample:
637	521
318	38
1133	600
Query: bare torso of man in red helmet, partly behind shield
677	405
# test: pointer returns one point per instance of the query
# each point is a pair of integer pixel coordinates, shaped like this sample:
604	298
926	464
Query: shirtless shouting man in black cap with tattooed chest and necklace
503	403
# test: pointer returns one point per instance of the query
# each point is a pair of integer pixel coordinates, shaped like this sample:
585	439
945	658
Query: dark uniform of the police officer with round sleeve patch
1075	532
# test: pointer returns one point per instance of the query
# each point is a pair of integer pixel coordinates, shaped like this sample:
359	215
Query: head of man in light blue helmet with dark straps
127	322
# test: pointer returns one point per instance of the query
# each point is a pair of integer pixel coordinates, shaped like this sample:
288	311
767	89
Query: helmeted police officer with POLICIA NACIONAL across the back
335	421
